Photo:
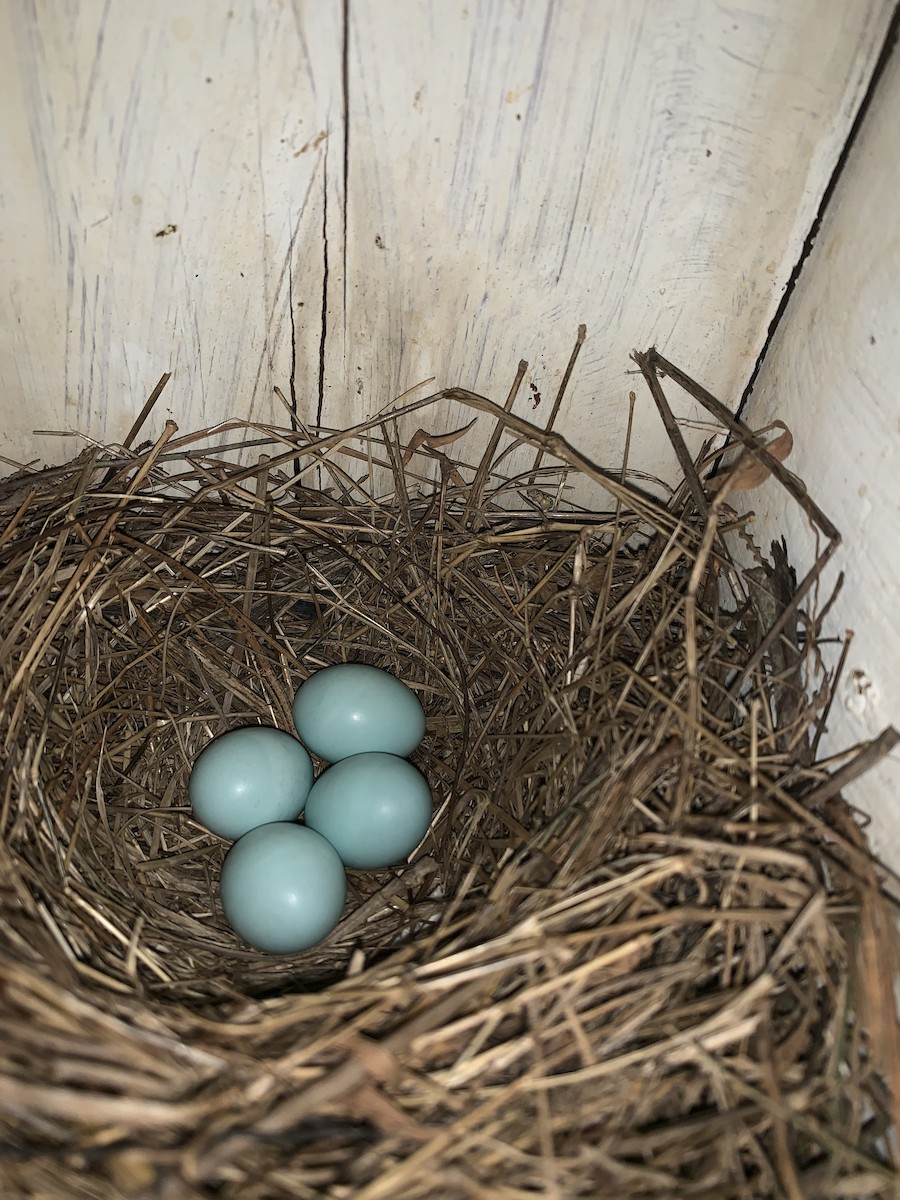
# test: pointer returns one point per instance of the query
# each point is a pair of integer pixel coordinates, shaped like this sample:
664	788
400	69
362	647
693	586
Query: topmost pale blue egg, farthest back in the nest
352	709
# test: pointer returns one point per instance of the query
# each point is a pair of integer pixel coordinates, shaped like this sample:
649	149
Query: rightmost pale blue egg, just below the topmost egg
374	808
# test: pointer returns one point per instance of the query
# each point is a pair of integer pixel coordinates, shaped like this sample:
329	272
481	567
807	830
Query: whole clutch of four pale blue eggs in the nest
283	884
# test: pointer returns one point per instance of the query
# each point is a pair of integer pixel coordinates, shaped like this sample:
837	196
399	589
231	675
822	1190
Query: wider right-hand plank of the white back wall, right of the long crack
650	170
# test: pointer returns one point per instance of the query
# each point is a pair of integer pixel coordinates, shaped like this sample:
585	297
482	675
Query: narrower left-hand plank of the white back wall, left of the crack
122	122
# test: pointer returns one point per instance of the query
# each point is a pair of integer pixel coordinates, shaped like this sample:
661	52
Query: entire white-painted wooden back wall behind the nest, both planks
513	170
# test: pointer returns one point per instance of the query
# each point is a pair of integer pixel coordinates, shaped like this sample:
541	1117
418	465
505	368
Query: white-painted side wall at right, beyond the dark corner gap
832	375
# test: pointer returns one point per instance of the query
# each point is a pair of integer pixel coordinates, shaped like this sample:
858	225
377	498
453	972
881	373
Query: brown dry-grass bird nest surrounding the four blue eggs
644	952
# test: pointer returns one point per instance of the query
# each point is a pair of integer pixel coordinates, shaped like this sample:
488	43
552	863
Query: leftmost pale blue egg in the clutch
248	778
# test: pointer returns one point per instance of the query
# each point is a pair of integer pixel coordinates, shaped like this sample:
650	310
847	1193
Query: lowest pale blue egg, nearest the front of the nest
283	889
